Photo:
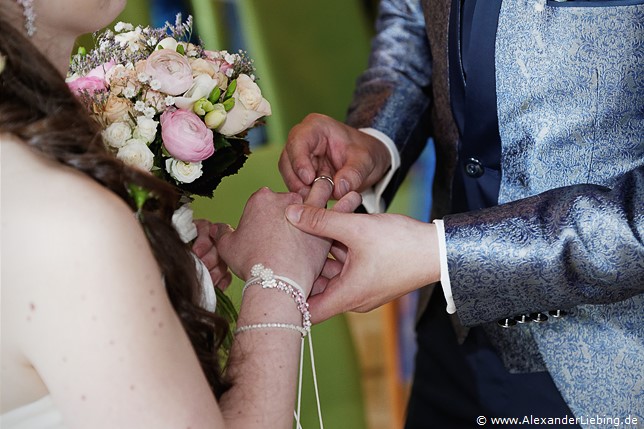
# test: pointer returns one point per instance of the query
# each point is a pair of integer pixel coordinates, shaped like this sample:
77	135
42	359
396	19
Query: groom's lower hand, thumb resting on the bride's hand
386	256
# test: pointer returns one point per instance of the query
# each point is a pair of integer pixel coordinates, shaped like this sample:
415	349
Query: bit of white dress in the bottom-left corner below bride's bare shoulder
40	414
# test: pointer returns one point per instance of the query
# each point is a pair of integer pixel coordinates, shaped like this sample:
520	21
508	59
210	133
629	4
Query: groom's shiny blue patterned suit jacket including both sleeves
569	228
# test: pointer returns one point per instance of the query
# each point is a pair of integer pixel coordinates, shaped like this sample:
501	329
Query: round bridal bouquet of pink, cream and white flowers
169	106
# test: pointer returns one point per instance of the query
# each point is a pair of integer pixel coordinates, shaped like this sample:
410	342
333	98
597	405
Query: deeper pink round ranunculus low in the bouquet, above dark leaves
185	136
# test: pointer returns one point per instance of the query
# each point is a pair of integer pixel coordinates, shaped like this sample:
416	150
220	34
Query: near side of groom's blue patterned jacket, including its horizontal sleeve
562	71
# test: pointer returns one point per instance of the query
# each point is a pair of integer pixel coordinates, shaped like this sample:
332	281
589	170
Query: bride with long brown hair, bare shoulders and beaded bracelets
101	324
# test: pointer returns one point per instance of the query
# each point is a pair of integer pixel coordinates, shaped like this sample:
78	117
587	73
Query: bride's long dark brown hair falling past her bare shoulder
37	107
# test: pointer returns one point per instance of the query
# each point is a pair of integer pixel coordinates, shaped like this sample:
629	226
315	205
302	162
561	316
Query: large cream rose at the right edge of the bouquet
249	107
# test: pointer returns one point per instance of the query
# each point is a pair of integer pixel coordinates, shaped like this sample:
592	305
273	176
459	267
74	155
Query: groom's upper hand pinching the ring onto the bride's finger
320	144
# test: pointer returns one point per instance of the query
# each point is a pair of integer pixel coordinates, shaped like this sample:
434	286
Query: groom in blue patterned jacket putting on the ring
536	110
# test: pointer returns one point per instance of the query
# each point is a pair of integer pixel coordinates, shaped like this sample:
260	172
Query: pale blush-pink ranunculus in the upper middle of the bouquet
169	72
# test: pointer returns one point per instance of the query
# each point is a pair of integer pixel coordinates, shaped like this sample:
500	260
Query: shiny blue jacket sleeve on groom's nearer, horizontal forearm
575	245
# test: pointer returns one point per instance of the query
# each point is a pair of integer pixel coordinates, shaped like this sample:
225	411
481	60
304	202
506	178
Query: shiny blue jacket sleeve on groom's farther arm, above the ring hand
393	94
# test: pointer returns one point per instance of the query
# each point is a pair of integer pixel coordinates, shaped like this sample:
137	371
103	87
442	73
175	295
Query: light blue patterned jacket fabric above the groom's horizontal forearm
560	73
